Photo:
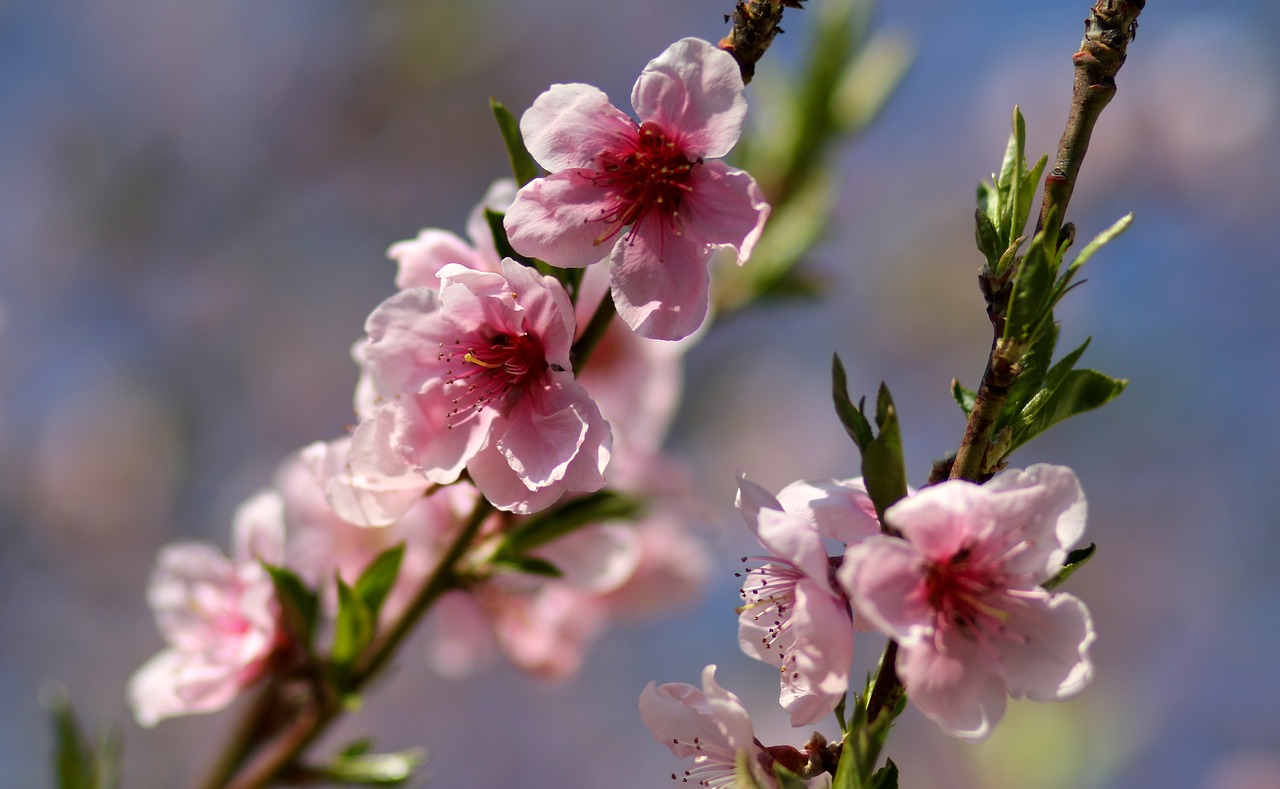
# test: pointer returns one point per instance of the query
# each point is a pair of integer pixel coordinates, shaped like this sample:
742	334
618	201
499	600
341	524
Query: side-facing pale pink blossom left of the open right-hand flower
794	615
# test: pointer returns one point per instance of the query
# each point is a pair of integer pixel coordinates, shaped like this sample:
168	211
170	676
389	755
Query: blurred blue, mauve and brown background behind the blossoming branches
195	204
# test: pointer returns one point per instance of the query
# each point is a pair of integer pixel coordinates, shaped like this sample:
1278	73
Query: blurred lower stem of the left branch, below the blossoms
319	713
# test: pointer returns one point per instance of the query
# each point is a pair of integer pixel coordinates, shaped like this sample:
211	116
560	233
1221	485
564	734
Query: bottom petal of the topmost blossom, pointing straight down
661	282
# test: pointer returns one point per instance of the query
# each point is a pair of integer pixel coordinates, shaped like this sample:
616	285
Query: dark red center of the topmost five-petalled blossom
648	175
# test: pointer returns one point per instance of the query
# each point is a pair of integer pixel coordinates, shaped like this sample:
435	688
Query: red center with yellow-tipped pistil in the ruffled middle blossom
478	376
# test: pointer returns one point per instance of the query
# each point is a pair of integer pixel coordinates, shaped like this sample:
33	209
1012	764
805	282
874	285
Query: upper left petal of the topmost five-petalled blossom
568	125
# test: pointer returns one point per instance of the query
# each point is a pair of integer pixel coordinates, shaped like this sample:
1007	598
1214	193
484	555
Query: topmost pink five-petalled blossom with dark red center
655	176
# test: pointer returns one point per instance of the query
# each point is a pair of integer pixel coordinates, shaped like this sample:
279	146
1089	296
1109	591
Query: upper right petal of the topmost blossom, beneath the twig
694	92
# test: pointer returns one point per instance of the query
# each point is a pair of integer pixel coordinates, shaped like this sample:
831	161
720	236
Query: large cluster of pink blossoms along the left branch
470	402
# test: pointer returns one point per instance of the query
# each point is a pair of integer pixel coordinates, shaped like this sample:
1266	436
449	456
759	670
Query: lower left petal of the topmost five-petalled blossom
559	220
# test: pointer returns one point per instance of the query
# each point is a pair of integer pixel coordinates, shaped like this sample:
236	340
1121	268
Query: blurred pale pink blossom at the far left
220	617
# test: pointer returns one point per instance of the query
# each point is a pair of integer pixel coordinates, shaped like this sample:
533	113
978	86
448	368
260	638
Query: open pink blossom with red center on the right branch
961	594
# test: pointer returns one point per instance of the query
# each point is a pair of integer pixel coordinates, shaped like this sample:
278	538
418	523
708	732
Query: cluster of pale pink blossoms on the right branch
954	576
